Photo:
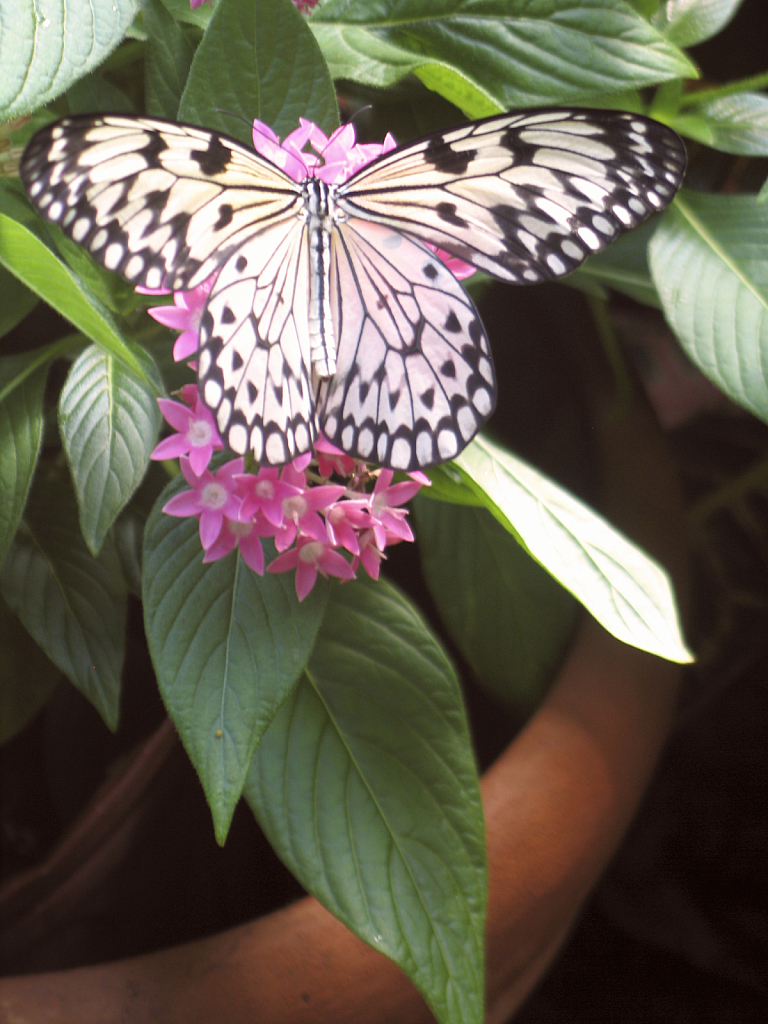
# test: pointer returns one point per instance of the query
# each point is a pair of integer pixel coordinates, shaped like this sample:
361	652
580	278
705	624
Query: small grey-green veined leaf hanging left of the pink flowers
109	422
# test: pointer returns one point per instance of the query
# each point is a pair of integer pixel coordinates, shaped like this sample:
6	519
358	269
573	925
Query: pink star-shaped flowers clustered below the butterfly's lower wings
311	519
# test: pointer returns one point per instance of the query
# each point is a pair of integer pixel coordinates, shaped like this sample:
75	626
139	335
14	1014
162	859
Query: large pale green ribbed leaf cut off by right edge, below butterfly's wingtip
710	263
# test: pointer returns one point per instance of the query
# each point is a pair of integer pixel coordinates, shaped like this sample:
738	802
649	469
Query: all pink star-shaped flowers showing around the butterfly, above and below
321	504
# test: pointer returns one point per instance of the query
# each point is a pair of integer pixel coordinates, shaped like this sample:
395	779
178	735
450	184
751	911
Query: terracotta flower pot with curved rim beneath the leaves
558	803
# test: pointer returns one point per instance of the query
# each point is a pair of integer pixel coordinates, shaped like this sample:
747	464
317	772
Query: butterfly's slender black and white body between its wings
319	217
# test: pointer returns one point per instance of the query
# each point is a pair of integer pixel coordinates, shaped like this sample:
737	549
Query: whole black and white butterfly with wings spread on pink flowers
329	312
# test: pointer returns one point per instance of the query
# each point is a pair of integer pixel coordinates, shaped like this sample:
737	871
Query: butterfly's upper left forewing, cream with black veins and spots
161	203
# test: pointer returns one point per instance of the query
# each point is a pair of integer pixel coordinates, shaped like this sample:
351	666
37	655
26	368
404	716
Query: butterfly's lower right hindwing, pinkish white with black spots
415	379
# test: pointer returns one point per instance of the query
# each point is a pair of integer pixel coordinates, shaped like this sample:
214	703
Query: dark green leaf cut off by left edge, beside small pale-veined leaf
22	389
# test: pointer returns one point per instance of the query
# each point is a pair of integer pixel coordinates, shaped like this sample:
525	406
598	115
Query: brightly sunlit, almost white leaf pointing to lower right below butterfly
625	590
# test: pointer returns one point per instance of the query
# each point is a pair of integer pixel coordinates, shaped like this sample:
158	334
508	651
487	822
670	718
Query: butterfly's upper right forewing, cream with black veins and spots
526	197
